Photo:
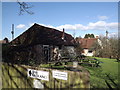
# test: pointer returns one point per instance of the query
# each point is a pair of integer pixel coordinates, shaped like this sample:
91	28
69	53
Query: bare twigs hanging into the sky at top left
24	7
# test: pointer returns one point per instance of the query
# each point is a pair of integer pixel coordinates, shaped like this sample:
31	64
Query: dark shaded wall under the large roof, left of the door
28	55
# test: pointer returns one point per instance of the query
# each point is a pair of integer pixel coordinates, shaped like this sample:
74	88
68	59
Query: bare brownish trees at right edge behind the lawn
109	47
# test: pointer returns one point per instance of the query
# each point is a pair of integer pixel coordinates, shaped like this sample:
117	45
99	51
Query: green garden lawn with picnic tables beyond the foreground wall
103	73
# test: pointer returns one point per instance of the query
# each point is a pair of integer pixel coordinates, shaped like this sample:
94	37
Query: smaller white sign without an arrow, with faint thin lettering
60	75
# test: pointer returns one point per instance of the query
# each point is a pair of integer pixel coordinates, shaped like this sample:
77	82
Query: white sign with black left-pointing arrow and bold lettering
43	75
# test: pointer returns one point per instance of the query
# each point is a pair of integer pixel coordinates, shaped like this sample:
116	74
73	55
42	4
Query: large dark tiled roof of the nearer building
38	34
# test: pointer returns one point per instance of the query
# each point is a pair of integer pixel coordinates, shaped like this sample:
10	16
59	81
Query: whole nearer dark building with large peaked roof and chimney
41	44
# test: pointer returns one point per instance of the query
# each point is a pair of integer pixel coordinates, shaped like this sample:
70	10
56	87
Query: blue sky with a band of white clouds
77	18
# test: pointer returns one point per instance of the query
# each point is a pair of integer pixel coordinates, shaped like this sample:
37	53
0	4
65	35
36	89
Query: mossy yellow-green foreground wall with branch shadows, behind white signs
15	76
